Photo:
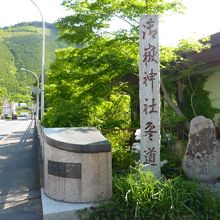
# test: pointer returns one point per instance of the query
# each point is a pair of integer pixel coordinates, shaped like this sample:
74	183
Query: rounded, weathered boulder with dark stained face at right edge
202	157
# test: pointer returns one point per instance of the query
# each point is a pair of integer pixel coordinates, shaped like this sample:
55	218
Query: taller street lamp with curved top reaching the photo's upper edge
43	59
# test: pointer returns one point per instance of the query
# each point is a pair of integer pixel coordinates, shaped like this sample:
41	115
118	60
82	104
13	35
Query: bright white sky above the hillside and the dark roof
201	17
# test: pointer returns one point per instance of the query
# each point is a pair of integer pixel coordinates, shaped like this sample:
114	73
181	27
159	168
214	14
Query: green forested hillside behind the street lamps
21	47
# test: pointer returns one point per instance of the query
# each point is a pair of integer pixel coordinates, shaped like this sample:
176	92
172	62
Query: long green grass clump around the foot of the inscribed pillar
140	195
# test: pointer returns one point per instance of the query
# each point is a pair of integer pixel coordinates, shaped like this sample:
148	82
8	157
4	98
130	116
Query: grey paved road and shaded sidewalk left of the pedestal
19	179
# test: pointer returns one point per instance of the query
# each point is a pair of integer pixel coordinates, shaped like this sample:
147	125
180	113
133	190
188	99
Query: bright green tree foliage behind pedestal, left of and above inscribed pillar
95	73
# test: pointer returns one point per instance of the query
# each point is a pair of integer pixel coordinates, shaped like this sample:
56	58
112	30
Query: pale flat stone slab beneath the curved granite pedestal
55	210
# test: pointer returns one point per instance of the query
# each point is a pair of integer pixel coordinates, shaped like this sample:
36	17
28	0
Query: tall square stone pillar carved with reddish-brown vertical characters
149	92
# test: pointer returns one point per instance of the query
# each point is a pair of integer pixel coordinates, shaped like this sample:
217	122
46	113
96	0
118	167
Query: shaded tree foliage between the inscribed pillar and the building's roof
180	69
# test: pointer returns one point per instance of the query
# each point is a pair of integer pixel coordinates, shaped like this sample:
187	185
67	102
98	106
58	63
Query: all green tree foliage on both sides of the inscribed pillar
95	82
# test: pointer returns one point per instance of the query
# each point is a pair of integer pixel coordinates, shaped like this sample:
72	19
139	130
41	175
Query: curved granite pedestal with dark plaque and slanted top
77	165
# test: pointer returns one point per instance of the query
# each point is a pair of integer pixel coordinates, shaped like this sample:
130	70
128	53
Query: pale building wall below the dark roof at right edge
213	86
